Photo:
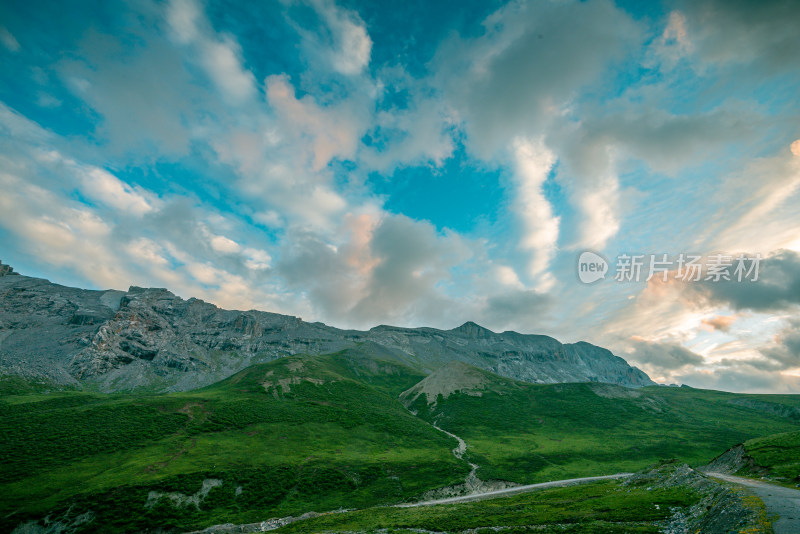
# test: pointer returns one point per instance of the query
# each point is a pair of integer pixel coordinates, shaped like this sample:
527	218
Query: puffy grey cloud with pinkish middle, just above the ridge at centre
381	269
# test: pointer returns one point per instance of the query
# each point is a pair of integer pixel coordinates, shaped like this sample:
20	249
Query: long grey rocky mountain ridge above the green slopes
153	339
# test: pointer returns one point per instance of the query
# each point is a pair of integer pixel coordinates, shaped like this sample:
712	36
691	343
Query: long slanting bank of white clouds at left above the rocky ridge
130	236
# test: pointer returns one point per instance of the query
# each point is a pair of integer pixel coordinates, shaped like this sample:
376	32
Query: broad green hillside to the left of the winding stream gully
293	435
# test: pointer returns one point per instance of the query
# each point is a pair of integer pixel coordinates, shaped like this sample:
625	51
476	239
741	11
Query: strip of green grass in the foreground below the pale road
597	507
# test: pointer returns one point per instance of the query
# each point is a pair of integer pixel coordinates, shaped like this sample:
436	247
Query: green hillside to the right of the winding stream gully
532	433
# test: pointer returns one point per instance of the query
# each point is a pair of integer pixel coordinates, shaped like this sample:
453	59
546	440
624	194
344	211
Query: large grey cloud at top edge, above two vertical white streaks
529	64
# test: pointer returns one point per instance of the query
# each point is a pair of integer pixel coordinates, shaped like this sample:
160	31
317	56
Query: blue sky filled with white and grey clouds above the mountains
422	164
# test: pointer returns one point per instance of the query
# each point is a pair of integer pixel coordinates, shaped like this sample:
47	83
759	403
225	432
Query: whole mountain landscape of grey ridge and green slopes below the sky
149	413
